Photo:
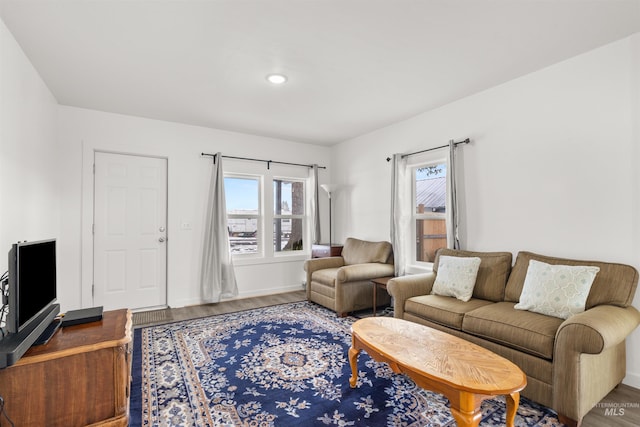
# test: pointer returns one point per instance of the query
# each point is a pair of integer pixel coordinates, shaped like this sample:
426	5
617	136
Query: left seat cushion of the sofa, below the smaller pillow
446	311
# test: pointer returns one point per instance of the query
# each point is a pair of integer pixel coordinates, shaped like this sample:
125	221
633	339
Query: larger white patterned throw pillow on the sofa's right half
556	290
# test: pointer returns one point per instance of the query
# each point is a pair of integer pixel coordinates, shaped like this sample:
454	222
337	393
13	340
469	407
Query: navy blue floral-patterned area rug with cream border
281	366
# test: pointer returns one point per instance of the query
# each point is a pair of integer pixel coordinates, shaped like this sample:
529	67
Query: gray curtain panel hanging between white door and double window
218	278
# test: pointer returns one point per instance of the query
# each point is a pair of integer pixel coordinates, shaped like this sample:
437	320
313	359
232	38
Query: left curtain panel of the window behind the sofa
400	214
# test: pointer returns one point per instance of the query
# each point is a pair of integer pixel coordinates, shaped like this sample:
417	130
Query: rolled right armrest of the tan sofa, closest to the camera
596	329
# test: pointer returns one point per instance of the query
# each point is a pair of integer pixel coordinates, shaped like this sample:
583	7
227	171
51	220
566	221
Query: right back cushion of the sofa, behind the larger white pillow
614	284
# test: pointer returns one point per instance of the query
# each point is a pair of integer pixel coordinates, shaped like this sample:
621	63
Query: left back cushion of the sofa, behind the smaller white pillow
492	274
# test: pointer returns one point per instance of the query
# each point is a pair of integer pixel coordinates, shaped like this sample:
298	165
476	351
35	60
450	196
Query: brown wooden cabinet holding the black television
80	377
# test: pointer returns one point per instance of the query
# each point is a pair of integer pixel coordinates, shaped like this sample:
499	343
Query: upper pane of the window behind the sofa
431	188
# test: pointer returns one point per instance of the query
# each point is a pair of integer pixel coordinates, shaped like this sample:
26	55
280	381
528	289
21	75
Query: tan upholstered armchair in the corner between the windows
343	284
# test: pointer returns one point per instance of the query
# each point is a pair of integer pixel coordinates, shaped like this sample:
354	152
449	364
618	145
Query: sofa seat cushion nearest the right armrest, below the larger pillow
526	331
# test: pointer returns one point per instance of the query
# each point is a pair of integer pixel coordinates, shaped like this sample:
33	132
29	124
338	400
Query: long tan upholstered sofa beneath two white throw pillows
570	364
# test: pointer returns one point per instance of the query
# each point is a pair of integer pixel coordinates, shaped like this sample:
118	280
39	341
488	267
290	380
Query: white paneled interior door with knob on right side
129	231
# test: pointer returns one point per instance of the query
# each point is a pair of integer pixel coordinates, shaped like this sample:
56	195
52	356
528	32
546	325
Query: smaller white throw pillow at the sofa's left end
456	277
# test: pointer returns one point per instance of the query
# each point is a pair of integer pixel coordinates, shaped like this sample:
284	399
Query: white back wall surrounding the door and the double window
81	132
